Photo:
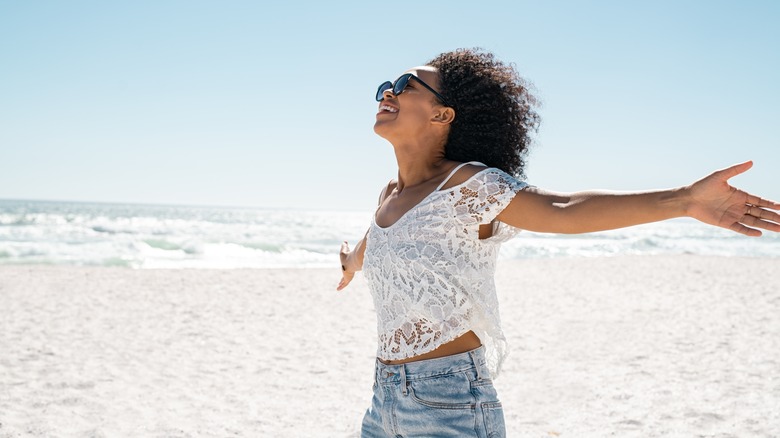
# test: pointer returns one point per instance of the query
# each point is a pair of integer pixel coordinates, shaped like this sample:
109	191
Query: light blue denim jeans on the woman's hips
451	396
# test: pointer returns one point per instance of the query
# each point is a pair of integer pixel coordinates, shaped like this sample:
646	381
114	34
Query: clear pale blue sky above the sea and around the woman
245	104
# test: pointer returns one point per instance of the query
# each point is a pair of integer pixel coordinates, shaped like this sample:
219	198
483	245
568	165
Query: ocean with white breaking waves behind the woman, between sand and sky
161	236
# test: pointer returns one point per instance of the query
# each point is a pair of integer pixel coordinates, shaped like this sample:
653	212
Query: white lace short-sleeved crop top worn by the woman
432	277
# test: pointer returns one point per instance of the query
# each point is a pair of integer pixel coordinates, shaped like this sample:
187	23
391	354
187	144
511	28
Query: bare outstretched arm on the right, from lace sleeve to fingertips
711	200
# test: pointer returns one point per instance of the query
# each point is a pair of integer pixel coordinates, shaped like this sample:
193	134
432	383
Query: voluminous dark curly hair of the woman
494	110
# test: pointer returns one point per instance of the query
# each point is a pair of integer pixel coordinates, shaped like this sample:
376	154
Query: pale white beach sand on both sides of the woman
627	347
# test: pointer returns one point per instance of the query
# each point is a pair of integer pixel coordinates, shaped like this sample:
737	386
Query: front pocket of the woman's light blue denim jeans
451	391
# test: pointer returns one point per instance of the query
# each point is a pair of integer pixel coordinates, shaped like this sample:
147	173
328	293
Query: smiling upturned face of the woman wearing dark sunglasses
413	114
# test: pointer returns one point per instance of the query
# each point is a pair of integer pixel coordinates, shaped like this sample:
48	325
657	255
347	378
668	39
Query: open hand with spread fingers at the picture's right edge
715	202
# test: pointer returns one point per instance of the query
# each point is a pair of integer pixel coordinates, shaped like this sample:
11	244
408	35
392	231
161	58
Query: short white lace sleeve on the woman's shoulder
484	196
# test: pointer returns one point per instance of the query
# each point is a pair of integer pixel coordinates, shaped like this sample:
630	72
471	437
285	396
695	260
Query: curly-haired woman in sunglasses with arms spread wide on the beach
460	129
